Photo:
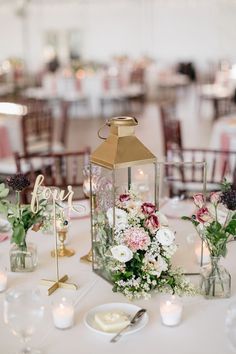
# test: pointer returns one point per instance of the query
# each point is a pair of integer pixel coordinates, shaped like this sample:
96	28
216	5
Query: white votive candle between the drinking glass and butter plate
63	314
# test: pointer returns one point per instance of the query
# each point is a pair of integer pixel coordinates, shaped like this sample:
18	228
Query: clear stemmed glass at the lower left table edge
23	314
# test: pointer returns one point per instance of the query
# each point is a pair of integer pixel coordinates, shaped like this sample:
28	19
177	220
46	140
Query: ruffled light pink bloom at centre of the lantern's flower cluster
136	238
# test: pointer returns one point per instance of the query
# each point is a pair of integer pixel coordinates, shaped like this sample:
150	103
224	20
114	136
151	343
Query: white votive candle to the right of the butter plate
171	309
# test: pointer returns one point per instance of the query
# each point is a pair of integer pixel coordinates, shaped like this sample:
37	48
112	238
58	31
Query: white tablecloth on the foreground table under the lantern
201	330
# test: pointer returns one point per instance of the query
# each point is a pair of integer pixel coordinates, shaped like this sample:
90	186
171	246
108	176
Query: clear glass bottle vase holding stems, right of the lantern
215	280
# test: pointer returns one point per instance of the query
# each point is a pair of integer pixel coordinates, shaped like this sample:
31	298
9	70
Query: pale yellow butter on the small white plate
112	321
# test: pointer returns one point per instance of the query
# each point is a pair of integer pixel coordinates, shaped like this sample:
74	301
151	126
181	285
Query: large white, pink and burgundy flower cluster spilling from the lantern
138	259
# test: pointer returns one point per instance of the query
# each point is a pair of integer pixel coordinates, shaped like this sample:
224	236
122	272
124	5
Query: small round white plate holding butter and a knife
129	309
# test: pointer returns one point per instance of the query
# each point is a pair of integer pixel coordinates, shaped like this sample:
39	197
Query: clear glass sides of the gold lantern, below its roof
113	183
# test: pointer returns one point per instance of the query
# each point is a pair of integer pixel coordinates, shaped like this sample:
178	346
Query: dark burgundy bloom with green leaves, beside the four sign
19	216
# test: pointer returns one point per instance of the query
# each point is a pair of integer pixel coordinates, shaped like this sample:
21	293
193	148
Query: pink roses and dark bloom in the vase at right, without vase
215	221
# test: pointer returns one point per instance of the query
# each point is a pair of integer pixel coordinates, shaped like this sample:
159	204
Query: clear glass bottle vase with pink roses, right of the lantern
215	223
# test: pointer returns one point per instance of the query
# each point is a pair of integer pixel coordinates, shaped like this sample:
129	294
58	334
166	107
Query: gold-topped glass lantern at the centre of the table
126	166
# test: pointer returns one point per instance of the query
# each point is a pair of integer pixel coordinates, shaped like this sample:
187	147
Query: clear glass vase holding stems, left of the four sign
23	258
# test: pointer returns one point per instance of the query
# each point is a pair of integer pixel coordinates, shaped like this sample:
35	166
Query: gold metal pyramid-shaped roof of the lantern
122	148
